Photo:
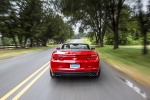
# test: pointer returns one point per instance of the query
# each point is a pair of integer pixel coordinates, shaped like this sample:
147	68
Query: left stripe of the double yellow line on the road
22	83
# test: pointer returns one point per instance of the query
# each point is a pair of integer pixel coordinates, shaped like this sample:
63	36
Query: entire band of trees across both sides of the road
113	22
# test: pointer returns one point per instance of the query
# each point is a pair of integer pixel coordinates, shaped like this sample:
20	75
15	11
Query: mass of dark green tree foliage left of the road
33	21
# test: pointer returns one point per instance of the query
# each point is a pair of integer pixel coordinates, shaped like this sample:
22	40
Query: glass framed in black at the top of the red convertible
75	46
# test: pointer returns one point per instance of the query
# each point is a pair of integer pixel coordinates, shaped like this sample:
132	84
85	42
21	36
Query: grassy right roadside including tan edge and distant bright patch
127	59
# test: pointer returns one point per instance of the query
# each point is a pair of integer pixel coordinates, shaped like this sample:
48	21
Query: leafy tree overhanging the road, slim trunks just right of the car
91	15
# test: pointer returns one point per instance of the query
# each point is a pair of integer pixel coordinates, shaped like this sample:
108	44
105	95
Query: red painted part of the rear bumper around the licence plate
65	65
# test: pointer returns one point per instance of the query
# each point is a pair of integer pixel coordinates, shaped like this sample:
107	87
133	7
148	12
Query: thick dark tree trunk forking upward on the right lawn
114	8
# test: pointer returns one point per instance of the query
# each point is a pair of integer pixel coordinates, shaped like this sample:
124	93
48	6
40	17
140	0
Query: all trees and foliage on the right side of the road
110	21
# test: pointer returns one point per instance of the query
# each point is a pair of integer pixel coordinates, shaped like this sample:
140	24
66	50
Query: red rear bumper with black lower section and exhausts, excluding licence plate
87	68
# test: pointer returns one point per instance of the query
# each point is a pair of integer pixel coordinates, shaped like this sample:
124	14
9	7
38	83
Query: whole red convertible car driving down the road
75	59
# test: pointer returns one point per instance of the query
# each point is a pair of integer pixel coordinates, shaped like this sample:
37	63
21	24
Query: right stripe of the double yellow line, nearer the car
29	85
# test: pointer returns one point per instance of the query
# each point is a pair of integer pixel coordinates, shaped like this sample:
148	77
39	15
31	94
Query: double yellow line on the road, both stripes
23	82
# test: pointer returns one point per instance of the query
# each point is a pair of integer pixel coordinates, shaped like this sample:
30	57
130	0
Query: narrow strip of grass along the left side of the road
8	53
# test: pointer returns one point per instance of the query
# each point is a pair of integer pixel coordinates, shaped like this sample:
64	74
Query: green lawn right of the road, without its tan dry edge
127	55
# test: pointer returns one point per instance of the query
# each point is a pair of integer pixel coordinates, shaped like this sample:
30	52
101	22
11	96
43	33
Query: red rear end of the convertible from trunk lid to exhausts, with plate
85	63
